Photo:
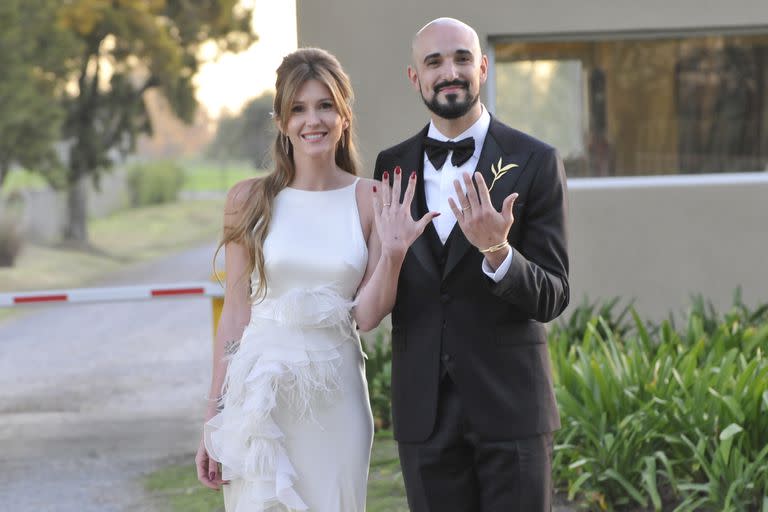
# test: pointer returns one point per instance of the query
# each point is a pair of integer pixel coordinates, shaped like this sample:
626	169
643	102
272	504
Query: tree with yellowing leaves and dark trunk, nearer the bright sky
127	48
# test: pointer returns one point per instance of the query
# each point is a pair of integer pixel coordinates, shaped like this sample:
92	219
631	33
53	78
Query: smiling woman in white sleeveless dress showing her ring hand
311	251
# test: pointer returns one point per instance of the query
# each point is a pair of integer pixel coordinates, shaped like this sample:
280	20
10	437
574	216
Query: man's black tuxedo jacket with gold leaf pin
493	332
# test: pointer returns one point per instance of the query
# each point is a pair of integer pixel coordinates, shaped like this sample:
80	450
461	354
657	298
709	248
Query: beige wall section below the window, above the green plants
661	241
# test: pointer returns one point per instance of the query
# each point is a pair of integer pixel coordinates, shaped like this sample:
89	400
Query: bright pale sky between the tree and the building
226	84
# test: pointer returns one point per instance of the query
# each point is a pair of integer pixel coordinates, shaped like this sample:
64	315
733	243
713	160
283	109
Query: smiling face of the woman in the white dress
314	123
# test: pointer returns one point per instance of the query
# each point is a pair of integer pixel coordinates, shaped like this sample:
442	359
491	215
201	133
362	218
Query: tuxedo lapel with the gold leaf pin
489	156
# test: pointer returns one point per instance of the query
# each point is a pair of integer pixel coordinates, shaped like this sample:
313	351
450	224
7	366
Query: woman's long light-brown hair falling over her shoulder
254	217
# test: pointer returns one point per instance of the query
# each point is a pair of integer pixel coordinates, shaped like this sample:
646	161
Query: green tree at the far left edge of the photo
33	65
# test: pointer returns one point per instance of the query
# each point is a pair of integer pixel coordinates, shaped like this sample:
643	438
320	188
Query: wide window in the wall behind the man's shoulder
626	107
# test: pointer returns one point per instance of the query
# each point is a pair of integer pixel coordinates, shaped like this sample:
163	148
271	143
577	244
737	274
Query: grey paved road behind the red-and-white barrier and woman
94	396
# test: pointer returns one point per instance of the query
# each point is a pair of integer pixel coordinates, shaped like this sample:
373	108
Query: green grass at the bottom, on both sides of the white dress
175	488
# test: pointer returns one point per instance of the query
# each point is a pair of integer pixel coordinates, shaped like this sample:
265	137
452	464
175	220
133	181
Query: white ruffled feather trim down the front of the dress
265	372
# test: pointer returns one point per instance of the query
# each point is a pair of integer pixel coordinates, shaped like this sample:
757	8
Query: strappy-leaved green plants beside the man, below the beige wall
658	418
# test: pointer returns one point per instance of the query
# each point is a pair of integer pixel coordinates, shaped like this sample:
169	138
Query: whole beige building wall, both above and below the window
657	244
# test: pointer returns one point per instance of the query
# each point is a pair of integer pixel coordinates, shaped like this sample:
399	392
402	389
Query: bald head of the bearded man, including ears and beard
448	69
